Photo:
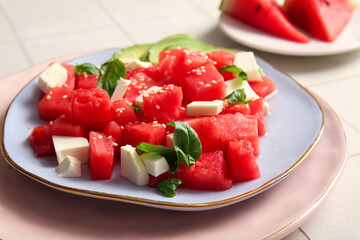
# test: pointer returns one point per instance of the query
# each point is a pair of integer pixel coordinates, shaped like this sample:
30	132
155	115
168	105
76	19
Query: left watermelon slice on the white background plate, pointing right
265	15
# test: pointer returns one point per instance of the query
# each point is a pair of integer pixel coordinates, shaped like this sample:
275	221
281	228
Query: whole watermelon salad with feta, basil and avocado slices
183	117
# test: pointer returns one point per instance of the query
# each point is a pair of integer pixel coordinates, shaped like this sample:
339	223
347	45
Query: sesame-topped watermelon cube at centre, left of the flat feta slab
163	105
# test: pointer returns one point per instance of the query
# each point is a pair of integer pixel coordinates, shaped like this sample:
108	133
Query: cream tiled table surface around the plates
37	30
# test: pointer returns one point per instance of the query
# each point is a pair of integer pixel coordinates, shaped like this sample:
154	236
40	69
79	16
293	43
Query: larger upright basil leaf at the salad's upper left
110	73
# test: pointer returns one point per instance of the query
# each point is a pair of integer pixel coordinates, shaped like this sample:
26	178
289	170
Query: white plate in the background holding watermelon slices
242	33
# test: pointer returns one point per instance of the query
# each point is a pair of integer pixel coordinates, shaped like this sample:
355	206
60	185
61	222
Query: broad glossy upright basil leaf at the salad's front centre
186	143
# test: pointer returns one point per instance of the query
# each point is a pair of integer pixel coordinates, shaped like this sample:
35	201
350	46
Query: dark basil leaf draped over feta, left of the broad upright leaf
167	153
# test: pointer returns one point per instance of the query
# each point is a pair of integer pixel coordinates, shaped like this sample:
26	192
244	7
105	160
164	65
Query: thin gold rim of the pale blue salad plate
166	204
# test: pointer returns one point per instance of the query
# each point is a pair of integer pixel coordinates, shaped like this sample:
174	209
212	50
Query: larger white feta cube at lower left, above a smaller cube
77	147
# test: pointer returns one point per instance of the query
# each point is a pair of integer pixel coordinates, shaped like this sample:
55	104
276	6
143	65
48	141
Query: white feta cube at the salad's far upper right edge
247	62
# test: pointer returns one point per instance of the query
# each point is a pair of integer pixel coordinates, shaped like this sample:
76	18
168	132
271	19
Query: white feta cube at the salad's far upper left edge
54	75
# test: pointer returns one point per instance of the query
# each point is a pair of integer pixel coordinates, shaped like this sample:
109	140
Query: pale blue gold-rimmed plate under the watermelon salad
294	127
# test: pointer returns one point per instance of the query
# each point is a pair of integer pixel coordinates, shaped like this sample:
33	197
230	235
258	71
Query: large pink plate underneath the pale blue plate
33	211
